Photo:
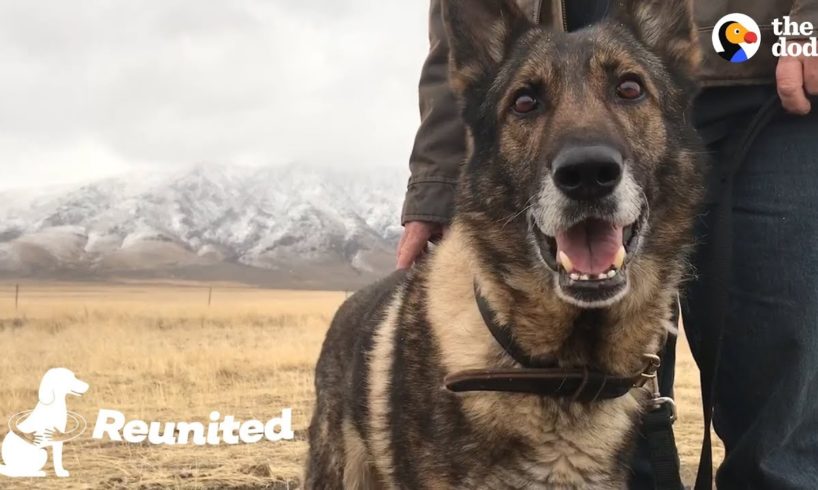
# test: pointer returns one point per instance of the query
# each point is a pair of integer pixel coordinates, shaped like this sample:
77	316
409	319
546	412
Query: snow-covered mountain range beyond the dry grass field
272	224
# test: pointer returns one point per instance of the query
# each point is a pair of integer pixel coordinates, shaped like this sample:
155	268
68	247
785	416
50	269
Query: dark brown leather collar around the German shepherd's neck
538	376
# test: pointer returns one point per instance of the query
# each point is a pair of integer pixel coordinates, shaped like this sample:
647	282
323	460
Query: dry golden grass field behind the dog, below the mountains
159	352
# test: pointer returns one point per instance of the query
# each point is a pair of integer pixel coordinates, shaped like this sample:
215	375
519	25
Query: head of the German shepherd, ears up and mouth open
582	162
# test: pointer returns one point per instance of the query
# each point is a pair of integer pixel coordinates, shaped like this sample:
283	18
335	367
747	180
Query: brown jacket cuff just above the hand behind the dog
429	199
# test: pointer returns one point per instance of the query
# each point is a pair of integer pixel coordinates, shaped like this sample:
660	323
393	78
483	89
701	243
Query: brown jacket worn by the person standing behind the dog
440	142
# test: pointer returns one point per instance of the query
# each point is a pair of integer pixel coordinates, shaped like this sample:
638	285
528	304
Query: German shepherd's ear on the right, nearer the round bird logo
666	27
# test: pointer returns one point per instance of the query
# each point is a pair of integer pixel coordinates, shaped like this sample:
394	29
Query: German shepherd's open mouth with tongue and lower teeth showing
591	258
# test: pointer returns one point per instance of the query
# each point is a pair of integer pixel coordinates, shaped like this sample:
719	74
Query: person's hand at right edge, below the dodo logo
797	78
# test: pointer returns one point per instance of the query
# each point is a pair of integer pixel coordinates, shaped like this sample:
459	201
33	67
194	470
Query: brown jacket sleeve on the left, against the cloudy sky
440	143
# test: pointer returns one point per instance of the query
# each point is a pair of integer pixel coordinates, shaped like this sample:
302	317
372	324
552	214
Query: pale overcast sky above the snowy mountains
91	88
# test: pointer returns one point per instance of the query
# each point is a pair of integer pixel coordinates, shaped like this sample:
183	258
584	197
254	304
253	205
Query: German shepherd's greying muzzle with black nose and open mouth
588	222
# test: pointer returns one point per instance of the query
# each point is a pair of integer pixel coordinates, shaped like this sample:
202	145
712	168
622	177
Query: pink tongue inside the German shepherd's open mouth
591	245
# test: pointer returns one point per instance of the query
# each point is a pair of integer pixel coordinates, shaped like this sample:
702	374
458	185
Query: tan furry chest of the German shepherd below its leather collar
551	447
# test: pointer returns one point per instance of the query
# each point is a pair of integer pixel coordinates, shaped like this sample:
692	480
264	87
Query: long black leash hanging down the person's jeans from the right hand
719	261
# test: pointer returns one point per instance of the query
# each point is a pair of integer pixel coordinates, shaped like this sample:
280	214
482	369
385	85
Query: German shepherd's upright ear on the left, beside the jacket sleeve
480	33
